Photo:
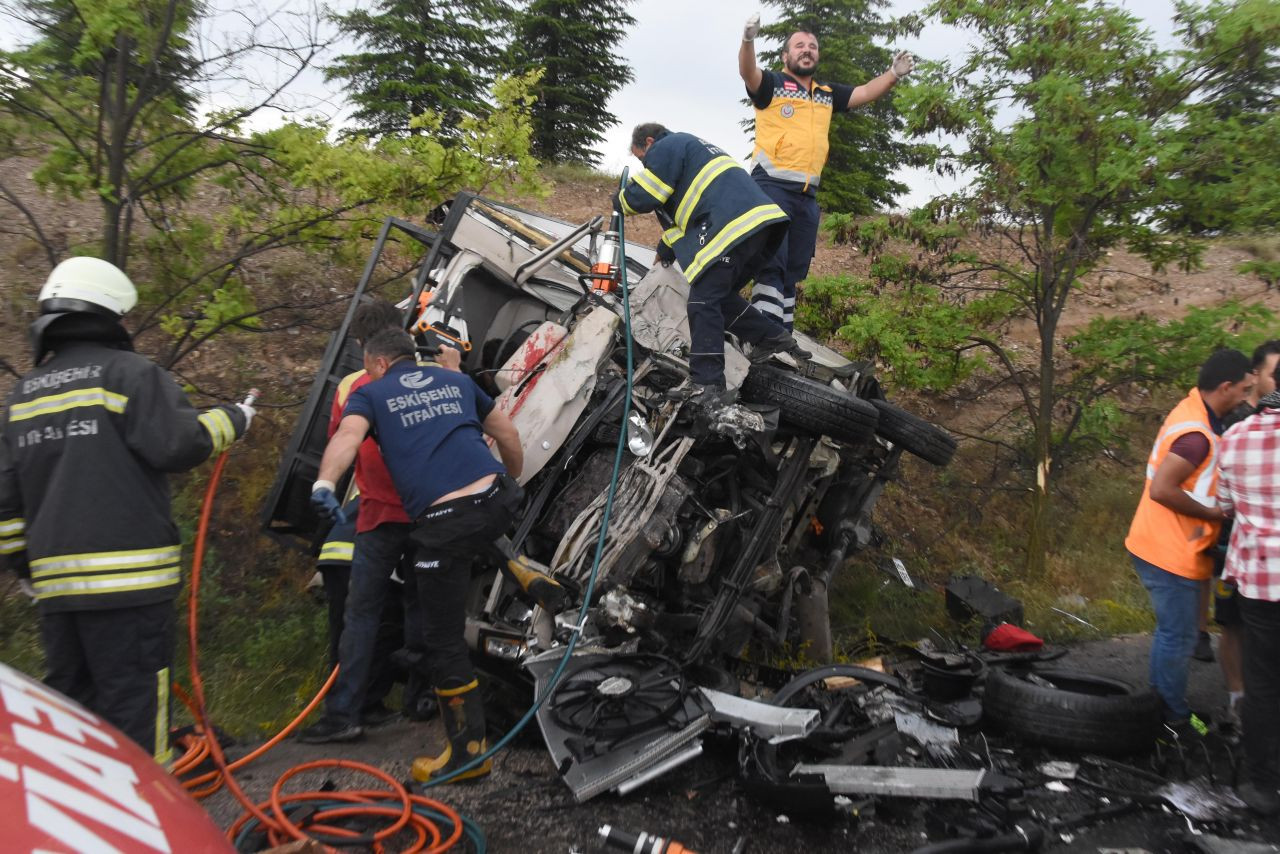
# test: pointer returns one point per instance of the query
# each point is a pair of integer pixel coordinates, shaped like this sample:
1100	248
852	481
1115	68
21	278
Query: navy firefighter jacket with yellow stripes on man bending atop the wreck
711	200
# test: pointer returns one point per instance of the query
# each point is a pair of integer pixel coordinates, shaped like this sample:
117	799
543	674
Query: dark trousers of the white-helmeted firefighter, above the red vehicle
117	664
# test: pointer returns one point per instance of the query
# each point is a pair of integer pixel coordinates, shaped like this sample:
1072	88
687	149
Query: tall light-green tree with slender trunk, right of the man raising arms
1073	126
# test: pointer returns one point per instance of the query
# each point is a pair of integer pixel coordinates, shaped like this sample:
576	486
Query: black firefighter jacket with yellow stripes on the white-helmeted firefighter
88	441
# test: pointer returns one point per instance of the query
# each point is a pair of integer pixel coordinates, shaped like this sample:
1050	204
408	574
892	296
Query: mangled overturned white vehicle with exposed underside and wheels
728	526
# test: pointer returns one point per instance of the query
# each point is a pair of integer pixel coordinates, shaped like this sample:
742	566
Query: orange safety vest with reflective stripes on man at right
1160	536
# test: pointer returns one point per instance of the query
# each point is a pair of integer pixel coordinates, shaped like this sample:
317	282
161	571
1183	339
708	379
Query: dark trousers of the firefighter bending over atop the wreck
716	305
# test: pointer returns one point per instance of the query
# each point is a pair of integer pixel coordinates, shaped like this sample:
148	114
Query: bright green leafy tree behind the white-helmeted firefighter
194	202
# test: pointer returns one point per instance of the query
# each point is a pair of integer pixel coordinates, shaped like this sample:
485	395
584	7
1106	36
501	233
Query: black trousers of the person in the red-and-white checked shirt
1261	692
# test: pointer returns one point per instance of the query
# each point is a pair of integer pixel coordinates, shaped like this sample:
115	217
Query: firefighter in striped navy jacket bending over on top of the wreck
723	229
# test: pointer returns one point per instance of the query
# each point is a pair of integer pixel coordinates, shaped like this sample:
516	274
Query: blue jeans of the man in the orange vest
1176	600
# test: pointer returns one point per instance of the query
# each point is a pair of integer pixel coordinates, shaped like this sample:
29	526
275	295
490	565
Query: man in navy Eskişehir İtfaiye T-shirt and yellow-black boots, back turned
431	424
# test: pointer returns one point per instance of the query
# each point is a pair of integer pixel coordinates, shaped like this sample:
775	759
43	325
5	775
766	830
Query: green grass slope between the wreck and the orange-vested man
941	527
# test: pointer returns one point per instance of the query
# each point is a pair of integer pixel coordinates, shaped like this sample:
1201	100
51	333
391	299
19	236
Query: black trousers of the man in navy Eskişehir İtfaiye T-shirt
449	538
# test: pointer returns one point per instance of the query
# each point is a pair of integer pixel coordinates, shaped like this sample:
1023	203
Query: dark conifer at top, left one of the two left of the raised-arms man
419	58
